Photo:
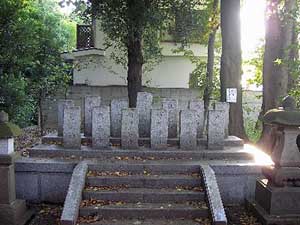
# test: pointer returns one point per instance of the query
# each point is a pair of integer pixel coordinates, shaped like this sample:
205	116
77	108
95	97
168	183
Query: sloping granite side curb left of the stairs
74	196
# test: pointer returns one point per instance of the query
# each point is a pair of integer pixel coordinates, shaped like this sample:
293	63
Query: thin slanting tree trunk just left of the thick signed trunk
210	62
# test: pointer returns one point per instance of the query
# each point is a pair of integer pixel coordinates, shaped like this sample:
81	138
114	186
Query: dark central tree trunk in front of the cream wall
135	69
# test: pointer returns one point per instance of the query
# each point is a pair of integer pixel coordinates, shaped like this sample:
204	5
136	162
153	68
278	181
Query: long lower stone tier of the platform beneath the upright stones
143	153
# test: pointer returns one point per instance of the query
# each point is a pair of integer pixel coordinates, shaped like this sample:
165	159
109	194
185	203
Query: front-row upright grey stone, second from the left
101	127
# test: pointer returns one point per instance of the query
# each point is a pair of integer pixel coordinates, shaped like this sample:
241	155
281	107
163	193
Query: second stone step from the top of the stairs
145	181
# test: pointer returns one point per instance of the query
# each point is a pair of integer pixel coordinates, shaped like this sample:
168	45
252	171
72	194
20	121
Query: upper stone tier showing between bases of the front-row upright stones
231	141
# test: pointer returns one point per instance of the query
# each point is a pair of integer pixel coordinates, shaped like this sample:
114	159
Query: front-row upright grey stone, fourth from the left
159	129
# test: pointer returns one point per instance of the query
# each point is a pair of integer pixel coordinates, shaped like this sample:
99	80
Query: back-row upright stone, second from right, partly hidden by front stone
198	106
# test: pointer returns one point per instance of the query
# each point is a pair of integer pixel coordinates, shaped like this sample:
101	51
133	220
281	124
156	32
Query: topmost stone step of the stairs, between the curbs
153	167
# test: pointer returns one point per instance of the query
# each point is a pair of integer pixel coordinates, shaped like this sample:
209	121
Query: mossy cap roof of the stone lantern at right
282	117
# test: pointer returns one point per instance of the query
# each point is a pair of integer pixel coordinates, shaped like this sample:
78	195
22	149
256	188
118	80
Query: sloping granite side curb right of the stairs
213	196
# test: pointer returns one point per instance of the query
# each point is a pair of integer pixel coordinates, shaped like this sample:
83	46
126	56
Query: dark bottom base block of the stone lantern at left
15	214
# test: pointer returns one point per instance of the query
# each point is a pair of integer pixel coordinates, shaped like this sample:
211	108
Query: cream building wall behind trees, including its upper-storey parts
96	68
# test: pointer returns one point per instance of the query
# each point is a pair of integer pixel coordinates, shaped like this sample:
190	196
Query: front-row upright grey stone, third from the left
130	129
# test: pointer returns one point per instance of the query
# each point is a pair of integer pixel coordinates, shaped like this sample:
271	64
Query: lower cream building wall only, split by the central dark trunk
172	72
